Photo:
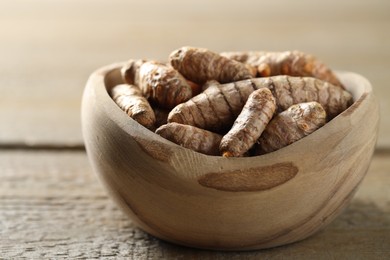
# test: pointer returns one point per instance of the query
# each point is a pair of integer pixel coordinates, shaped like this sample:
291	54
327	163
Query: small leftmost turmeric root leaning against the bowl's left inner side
130	100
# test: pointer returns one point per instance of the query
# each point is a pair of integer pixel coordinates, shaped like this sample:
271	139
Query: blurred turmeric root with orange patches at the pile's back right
292	63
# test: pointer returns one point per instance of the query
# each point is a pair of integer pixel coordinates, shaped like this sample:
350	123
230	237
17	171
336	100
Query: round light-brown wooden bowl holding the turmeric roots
213	202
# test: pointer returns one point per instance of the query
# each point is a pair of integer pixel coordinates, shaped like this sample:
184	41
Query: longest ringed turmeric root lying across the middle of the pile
216	108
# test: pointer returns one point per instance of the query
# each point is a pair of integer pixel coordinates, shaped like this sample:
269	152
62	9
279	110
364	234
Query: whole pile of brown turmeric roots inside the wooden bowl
233	103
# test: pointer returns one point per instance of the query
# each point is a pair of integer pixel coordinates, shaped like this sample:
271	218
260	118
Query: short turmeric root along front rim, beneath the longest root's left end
191	137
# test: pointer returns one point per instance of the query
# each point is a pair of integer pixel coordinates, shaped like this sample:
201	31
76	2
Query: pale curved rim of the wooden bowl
108	76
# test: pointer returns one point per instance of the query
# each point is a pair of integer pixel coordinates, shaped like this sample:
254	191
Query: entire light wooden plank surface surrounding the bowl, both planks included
51	203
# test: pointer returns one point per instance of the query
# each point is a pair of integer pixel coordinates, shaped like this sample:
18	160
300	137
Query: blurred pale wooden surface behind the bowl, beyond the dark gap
48	48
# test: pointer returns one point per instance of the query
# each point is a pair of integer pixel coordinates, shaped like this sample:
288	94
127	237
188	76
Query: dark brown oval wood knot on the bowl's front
252	179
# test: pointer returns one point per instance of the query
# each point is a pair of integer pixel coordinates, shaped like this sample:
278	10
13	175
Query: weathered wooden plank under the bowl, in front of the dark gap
51	205
